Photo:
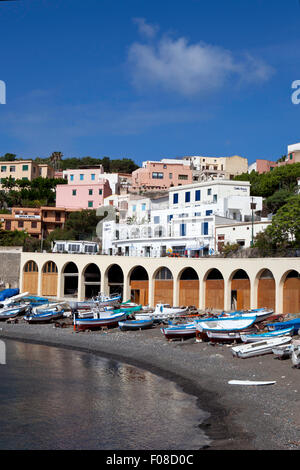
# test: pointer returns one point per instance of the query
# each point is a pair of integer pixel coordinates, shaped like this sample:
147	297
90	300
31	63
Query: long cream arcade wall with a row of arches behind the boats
279	267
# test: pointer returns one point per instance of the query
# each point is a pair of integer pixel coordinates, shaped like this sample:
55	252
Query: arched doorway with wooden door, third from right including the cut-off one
240	290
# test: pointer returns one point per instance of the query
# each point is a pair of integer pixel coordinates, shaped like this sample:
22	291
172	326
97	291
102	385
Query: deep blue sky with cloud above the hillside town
149	80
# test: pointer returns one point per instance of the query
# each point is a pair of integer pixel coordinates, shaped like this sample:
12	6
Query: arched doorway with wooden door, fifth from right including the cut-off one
189	288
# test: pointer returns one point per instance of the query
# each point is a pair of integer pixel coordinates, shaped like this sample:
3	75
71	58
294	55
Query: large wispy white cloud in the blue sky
189	69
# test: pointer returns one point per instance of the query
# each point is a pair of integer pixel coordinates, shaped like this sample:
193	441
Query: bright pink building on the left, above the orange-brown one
82	196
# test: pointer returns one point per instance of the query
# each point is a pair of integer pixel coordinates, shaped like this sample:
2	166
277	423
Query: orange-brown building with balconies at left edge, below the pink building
37	222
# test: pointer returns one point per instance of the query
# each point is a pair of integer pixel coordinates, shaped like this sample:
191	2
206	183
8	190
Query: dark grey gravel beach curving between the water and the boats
241	418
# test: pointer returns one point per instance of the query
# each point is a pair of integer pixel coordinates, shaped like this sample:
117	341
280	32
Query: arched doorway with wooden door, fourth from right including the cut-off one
214	290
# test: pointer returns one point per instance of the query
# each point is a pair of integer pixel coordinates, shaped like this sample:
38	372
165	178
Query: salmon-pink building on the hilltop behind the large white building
161	175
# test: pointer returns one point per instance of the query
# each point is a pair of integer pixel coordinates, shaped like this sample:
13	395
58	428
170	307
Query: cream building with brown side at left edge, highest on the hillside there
24	170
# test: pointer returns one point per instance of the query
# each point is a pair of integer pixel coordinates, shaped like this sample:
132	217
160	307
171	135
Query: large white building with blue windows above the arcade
186	224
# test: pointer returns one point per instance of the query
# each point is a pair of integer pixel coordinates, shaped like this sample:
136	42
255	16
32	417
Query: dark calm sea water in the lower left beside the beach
55	398
